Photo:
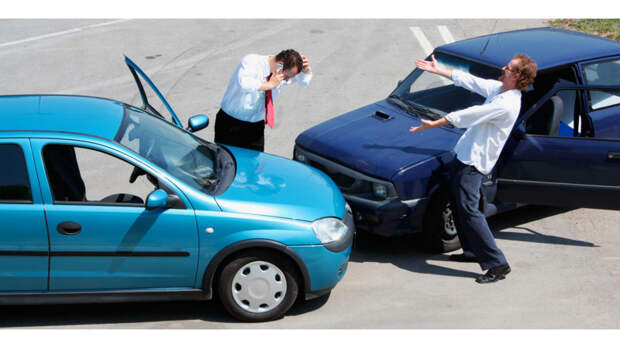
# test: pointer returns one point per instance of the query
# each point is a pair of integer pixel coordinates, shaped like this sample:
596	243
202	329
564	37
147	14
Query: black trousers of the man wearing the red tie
231	131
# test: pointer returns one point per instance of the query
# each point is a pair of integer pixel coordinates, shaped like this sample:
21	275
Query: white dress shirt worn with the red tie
242	99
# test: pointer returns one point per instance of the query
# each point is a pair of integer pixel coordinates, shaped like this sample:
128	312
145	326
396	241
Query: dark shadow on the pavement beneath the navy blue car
407	252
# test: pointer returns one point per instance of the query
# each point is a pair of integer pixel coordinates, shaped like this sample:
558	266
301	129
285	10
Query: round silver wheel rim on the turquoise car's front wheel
258	287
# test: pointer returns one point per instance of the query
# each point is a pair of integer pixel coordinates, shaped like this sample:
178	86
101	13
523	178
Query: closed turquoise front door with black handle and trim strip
101	235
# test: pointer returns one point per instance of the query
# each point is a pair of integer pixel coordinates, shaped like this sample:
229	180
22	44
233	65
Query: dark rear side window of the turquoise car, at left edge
14	182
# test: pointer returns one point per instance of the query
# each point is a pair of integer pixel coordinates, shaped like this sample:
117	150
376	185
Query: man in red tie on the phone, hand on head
248	102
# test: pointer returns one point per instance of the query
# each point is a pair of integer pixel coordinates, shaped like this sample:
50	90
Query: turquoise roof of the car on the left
61	113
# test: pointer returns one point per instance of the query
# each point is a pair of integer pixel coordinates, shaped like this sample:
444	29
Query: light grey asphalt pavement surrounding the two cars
565	263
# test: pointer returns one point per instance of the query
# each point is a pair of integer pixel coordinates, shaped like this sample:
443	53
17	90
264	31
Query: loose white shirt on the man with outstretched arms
489	124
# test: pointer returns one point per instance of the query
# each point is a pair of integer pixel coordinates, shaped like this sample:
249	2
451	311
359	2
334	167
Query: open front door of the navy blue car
571	166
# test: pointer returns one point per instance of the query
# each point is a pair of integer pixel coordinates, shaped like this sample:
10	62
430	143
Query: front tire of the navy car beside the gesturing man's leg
439	230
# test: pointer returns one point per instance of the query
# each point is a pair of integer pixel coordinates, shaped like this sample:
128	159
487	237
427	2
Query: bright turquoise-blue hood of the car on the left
270	185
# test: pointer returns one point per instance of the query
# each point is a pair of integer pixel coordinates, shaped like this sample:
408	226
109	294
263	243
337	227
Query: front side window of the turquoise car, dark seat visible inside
78	174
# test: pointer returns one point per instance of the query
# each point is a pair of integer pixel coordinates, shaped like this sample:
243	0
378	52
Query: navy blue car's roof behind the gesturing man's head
548	47
